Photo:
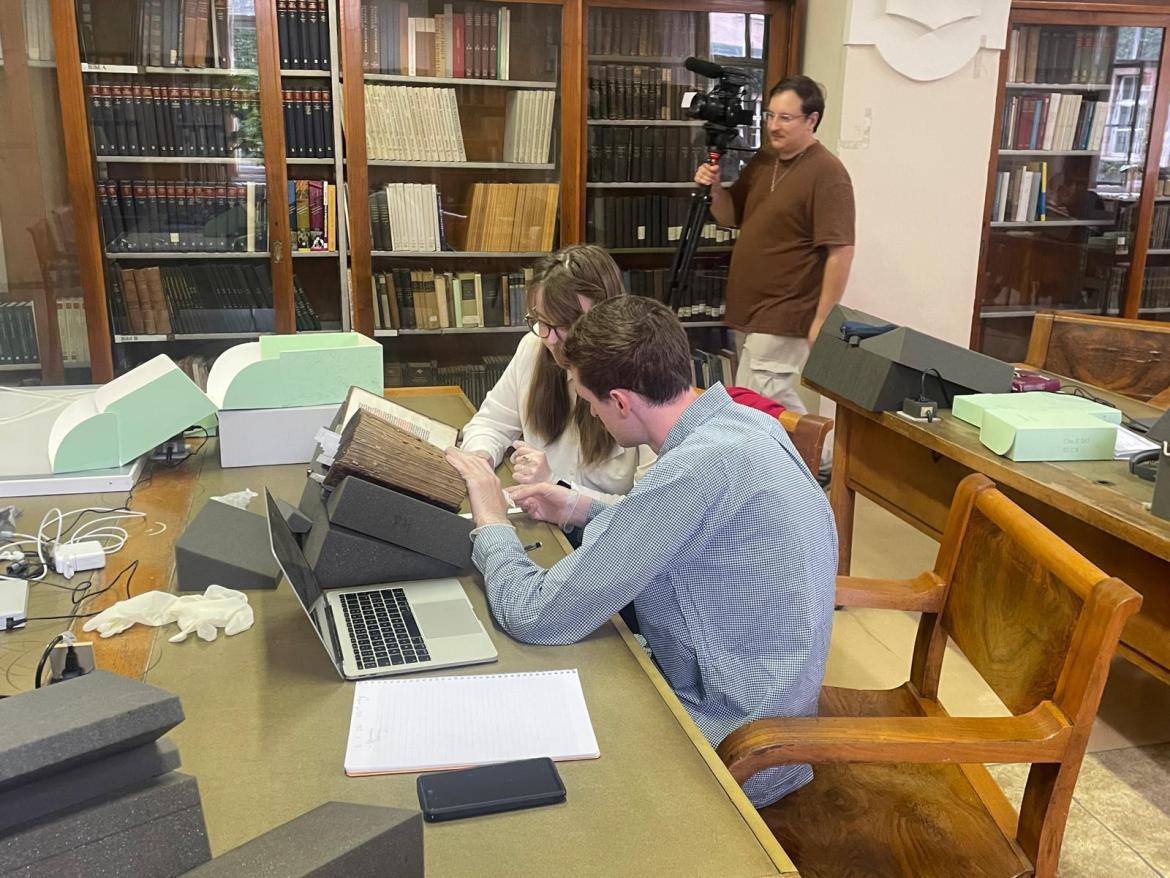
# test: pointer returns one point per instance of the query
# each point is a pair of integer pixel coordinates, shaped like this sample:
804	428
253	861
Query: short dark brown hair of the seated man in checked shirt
630	344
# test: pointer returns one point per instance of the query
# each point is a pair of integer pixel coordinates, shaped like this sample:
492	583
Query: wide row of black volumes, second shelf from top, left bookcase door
135	120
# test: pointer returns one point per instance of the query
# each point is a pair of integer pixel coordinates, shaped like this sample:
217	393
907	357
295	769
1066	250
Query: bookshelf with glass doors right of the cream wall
1073	218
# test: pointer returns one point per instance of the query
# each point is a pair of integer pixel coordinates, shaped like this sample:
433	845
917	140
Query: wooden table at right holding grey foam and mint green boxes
912	470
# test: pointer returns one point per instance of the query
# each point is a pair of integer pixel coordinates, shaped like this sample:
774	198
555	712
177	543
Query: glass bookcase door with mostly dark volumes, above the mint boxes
174	99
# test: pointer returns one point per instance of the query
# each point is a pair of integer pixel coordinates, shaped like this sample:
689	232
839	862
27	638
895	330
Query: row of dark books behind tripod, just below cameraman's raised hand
648	222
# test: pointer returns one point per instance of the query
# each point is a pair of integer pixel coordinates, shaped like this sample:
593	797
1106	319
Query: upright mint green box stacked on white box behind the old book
286	372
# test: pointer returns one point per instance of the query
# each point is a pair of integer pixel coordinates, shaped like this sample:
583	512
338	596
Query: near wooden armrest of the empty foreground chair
1040	736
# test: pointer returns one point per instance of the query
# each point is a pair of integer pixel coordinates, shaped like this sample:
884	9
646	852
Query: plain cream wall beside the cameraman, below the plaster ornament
918	154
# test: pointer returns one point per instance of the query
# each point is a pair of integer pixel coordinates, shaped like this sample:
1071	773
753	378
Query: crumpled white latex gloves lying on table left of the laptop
203	614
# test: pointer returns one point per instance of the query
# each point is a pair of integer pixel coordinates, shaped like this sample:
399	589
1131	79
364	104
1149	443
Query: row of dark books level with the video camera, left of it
636	92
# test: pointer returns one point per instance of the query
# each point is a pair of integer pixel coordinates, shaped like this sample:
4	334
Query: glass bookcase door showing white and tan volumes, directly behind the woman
463	112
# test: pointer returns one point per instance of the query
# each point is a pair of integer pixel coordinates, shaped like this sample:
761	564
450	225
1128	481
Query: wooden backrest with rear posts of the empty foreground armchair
1038	622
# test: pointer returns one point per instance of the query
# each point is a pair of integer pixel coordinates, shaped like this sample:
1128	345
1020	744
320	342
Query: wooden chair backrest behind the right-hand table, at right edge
1127	356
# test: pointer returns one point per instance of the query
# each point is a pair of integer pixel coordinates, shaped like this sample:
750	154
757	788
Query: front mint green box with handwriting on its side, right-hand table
1048	435
